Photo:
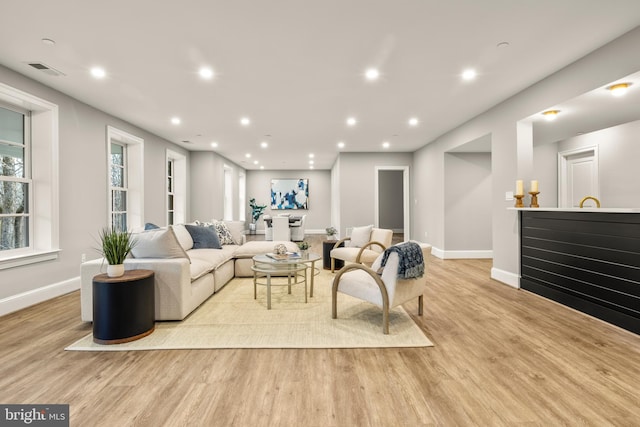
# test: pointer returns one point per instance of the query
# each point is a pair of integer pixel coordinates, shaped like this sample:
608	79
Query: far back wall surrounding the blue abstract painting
319	212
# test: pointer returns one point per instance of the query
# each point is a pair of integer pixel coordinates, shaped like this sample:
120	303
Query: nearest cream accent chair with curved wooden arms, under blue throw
384	290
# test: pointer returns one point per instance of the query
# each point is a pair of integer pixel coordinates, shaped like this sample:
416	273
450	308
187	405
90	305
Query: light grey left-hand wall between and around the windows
83	193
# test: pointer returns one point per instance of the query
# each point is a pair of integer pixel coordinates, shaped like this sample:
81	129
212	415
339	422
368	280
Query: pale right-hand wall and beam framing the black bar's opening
595	70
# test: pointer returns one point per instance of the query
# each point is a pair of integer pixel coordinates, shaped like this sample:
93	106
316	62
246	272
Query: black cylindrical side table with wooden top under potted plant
123	307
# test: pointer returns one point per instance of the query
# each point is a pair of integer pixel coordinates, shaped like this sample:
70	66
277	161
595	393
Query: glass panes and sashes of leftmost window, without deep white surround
15	179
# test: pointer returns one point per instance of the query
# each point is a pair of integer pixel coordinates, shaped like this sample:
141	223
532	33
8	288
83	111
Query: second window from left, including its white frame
126	174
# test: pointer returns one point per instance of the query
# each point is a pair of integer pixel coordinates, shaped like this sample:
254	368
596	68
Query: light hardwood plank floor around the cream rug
501	357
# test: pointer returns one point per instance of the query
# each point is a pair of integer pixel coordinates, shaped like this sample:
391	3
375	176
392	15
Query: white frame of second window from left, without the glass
135	176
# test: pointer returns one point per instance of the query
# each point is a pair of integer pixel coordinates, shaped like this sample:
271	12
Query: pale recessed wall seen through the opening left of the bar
467	204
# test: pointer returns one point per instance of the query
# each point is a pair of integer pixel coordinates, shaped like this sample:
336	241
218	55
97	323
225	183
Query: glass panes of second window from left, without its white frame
118	184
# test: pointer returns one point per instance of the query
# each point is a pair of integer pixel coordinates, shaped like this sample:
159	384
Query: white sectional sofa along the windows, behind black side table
185	276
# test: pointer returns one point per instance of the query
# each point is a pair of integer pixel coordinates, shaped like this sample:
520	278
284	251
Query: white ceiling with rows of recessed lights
295	68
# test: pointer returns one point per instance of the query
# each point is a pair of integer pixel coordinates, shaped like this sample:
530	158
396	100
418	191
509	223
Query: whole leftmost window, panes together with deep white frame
28	178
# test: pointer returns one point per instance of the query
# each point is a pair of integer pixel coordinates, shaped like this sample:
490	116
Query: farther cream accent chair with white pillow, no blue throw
361	247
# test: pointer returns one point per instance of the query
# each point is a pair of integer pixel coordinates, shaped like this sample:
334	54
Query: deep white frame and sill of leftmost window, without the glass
43	152
